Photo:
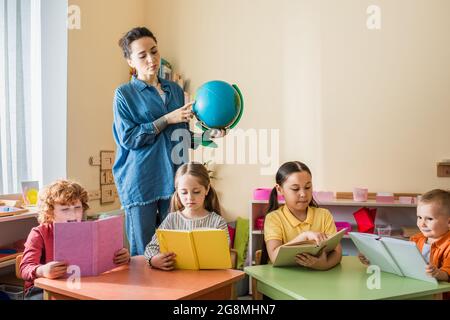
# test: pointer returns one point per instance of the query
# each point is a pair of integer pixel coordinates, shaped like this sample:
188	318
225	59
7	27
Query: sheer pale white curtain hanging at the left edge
15	94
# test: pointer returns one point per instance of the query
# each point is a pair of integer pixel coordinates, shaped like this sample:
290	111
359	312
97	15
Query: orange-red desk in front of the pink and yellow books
137	281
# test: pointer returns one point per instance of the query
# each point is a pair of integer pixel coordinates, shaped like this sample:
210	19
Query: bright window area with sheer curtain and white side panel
33	92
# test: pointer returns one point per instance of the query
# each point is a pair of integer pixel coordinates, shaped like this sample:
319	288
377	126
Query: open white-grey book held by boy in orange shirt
396	256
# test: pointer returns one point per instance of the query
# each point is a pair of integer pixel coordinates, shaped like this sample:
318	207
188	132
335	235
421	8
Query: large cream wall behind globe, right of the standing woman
361	107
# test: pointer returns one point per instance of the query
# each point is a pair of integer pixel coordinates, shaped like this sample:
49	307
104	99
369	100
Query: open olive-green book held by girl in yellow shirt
286	254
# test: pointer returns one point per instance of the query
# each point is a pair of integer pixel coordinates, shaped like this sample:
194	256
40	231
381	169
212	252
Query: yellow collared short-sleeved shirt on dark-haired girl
282	225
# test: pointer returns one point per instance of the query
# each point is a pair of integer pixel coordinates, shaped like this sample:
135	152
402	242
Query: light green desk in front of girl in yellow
345	281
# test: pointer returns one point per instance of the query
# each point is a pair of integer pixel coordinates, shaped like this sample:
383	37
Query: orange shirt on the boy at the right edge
439	254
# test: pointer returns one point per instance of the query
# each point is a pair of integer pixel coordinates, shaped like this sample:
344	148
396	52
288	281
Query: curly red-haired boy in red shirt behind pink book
62	201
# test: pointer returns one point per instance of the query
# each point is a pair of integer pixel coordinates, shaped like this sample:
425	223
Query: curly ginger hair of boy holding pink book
61	192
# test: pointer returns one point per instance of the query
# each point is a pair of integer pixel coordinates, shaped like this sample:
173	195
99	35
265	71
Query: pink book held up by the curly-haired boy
89	244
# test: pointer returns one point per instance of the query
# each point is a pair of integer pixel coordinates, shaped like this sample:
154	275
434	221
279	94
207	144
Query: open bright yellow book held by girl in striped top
196	249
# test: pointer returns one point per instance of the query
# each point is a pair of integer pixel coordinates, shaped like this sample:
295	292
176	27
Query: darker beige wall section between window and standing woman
95	68
